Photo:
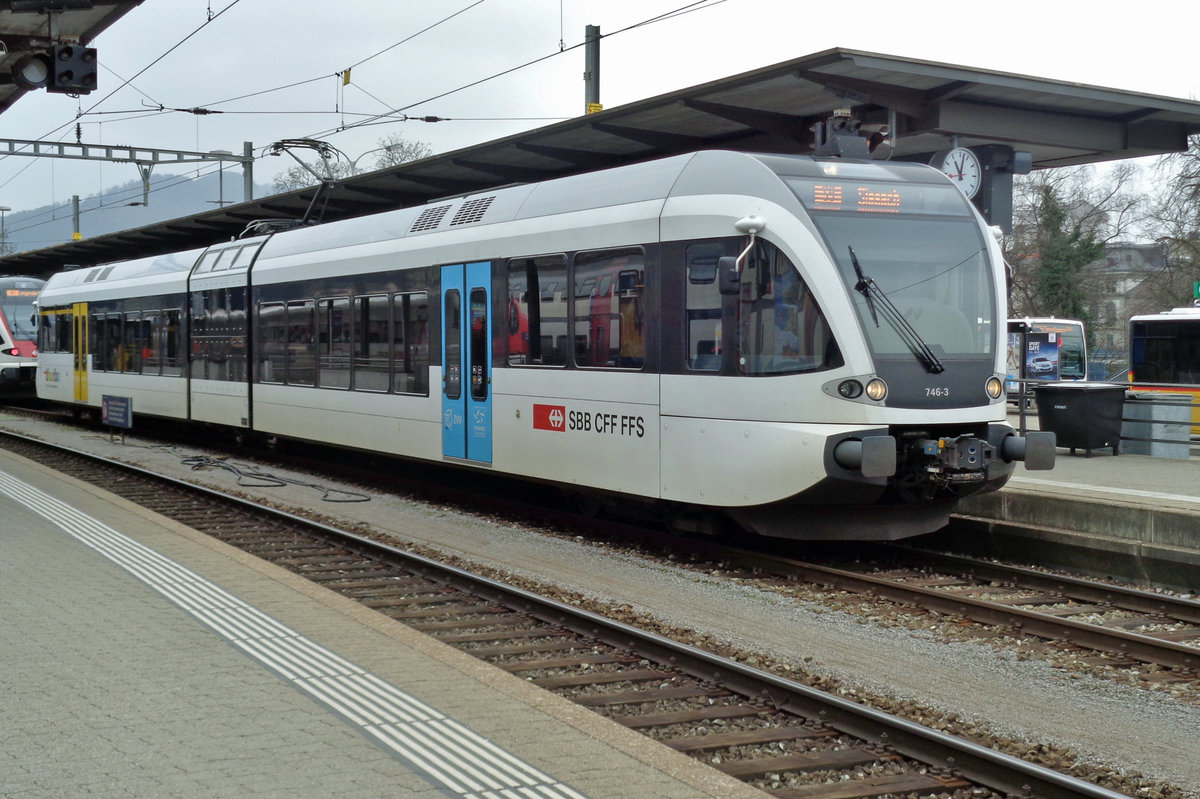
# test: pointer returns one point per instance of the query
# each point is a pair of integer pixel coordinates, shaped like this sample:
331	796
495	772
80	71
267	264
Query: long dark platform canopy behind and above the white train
927	106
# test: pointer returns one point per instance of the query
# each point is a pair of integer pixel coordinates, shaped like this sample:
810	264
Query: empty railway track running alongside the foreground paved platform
789	740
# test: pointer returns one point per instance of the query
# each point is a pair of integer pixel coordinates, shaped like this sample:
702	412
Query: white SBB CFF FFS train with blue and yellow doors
809	349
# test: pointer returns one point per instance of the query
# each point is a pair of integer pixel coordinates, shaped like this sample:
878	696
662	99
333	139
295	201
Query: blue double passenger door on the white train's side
467	362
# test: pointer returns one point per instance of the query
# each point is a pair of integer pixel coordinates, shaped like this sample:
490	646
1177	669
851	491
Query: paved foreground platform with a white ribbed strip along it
142	659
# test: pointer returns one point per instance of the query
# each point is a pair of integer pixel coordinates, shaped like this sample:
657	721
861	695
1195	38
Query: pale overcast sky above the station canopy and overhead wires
239	62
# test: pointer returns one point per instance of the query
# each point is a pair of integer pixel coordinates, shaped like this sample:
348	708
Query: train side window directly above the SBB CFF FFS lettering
609	309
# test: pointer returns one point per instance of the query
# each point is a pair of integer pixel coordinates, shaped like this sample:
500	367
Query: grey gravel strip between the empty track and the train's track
1139	742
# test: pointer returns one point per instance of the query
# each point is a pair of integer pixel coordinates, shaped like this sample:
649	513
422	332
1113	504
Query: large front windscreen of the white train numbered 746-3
922	248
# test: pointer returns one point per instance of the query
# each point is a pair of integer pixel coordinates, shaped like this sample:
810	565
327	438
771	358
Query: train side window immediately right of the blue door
537	311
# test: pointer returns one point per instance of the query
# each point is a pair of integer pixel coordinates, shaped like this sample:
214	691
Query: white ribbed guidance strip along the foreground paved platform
445	750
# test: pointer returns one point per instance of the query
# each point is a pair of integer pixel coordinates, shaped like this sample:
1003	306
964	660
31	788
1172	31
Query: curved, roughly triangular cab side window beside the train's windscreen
781	327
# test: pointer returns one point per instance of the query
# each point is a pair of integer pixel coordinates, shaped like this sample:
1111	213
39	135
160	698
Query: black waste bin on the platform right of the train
1082	416
